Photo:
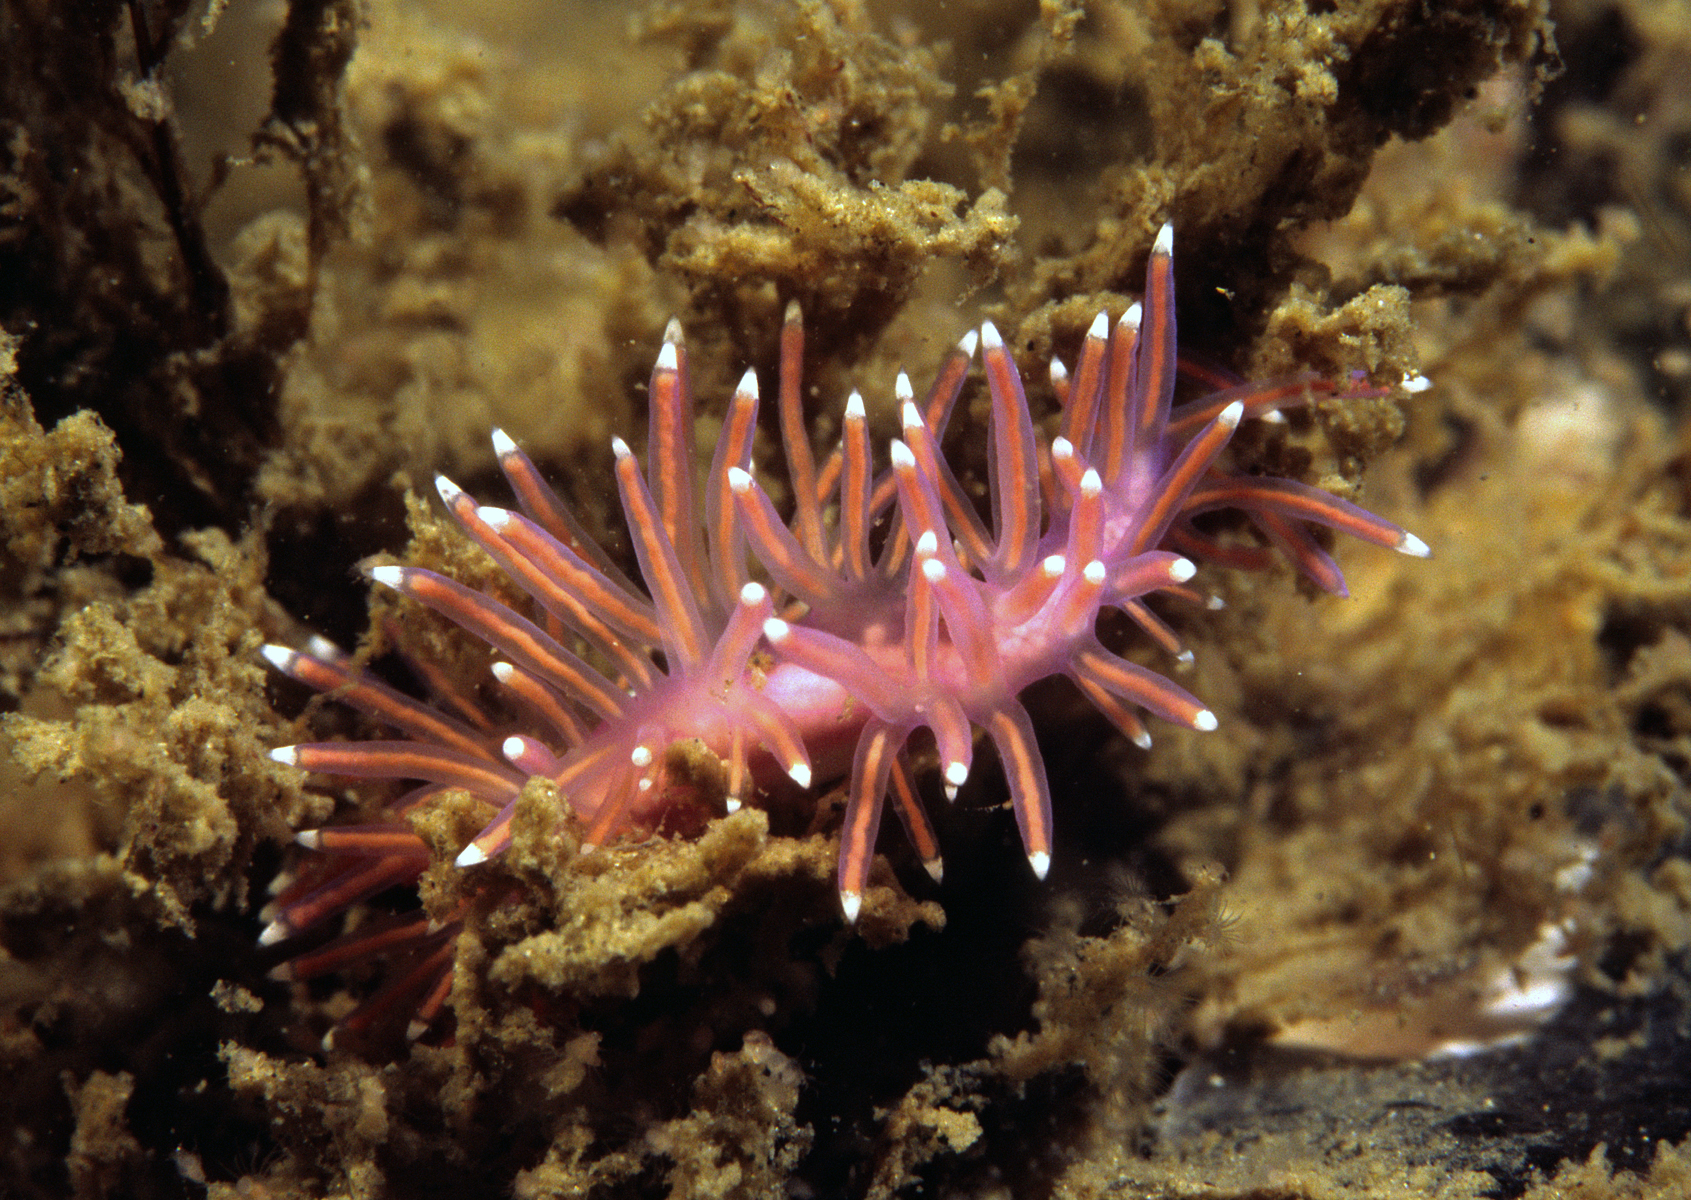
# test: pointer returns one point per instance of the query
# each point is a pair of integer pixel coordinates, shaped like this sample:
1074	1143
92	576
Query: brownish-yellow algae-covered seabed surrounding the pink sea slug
1413	922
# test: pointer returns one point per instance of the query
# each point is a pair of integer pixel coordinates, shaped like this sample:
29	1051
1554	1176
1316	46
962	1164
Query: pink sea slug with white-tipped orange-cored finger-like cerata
906	611
